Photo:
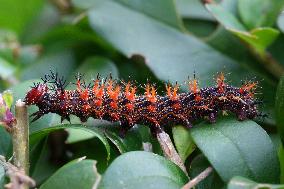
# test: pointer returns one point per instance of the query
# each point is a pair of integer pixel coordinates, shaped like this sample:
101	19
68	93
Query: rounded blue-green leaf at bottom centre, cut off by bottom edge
140	169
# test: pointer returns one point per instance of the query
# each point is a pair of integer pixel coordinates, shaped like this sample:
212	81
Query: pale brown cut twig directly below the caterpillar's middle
169	150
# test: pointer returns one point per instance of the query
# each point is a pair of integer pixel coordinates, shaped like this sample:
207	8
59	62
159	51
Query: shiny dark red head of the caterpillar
36	93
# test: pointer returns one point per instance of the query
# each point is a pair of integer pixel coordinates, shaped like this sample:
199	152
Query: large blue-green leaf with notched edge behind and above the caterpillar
155	44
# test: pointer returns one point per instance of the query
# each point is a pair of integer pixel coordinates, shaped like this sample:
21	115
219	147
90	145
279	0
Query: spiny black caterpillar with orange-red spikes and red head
119	102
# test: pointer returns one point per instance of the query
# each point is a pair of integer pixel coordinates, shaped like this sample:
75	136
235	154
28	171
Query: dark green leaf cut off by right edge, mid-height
279	108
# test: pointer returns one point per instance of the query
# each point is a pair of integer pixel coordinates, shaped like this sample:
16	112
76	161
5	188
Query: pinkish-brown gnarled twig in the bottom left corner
18	179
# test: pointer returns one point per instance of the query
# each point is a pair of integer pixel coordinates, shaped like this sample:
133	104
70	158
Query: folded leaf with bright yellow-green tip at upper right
258	38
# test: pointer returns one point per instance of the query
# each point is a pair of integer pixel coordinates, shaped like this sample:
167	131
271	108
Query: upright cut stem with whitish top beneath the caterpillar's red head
20	137
